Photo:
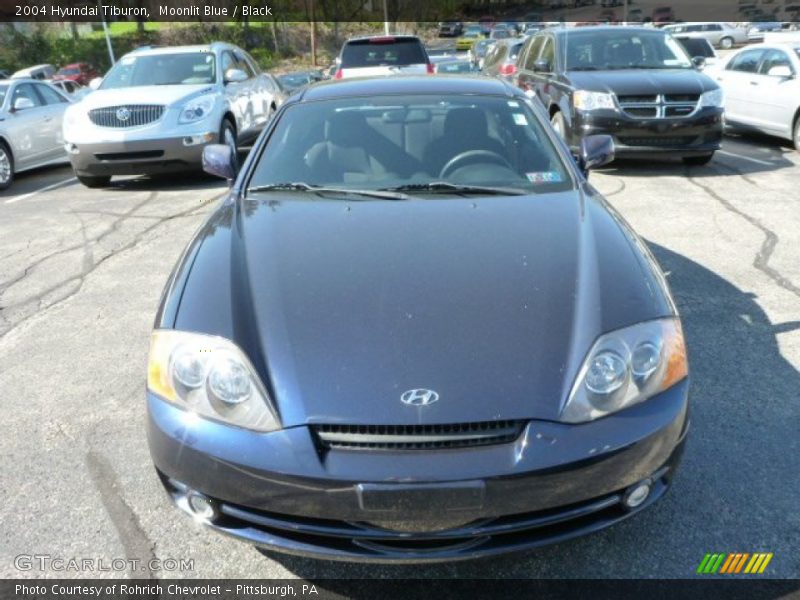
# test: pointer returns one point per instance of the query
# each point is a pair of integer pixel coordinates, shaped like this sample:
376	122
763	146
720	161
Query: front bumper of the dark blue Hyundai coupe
283	491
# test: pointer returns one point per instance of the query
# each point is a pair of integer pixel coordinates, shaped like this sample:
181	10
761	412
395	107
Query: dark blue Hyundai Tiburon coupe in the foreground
413	331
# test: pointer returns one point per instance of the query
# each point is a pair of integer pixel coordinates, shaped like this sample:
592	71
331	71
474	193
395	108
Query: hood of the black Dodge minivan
642	81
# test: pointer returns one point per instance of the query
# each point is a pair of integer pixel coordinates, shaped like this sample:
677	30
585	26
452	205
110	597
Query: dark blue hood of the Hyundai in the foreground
493	303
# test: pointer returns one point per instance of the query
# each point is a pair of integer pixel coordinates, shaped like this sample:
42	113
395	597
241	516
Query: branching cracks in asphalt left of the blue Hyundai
75	282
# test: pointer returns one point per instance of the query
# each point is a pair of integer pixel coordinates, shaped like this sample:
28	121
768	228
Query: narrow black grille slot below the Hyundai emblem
418	437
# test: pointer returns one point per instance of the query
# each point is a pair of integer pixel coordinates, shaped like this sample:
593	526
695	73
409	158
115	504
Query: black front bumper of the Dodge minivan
697	135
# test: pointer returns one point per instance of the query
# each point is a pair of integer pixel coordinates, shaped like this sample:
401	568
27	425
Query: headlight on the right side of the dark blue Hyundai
626	367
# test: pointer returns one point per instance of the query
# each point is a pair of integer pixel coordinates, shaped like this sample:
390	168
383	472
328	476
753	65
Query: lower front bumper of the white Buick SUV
139	157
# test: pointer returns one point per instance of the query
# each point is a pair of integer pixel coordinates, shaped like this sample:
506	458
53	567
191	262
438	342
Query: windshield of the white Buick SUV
180	68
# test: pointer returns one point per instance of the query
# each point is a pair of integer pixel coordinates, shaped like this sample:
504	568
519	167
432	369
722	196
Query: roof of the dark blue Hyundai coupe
408	84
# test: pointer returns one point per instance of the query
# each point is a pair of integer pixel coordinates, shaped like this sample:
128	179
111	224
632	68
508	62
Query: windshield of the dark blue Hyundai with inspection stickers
411	142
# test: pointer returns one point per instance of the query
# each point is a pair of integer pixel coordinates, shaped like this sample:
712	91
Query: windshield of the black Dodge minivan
606	50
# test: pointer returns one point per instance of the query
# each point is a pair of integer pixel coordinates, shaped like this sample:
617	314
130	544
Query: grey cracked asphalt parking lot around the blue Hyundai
81	272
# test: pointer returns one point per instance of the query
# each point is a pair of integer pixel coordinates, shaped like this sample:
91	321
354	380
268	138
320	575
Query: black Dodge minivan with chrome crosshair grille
635	84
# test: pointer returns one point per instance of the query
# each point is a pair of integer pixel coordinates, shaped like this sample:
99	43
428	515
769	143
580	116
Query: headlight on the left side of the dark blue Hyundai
209	376
